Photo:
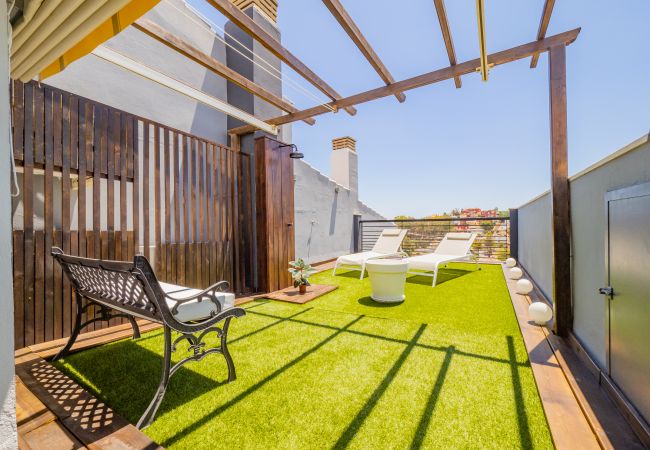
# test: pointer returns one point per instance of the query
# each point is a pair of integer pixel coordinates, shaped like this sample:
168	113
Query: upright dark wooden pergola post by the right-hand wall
561	199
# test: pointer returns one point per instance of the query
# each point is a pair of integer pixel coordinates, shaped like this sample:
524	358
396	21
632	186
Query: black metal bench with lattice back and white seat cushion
131	290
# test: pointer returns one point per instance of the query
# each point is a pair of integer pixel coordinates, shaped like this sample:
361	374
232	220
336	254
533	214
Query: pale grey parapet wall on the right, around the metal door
628	166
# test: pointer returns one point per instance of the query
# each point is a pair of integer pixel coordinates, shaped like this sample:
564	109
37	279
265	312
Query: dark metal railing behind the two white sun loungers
424	235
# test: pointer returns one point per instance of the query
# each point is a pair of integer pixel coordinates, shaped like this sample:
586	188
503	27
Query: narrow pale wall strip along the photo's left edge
7	387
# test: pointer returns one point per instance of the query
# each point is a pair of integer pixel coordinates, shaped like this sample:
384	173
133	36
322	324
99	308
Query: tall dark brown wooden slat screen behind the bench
100	182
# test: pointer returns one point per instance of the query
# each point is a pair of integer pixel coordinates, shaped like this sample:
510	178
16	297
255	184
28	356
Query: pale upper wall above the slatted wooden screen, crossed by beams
104	82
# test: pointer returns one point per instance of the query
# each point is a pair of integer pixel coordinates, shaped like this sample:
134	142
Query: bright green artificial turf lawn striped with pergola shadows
445	369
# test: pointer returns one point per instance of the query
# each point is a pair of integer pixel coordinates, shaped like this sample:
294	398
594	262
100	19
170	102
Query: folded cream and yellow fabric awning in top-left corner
61	32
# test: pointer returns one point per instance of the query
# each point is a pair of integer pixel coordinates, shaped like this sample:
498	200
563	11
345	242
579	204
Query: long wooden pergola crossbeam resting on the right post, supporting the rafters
499	58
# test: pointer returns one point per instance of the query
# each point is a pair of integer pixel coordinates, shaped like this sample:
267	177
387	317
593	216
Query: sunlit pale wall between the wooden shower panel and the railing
324	213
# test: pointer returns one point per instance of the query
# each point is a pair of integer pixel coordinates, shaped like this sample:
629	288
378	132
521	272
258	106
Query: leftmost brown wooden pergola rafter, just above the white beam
186	49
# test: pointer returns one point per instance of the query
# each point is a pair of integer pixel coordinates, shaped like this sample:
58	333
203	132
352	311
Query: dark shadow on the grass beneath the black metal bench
125	376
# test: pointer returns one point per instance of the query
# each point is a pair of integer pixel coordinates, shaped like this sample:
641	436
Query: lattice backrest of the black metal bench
129	287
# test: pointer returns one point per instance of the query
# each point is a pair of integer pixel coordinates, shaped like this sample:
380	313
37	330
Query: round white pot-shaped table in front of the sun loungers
387	278
